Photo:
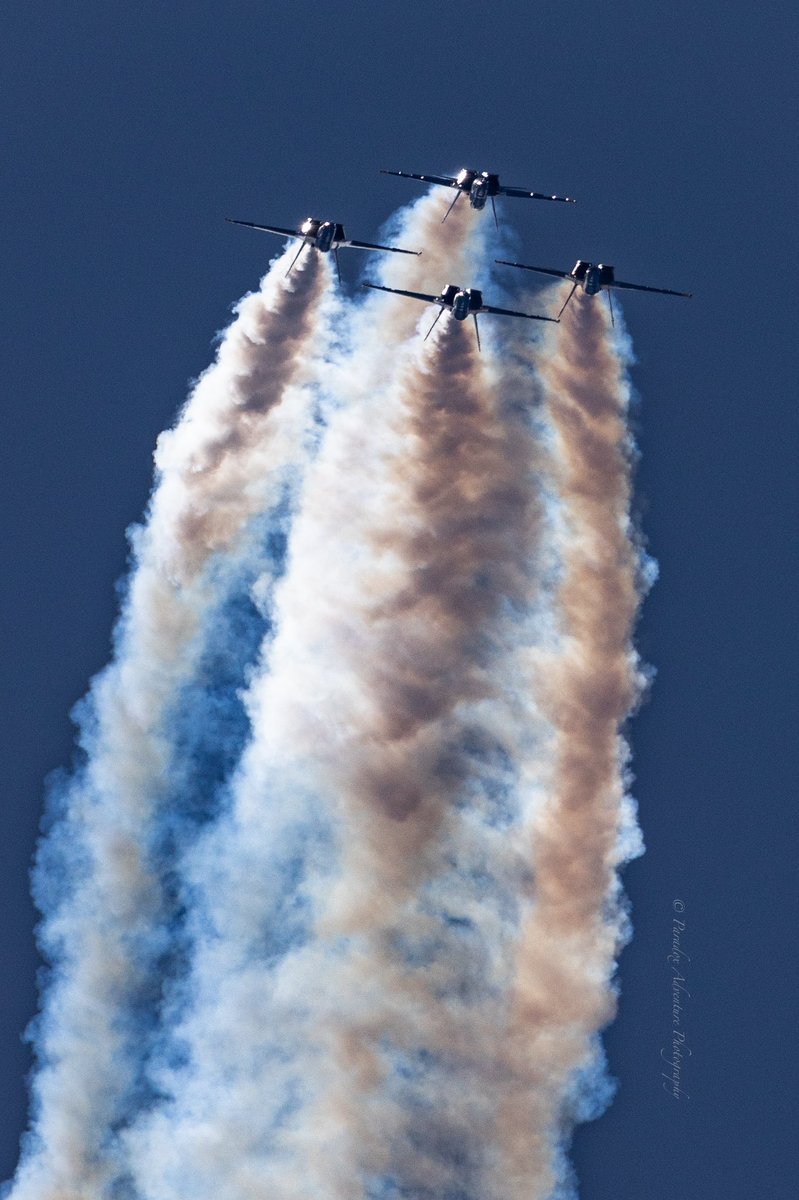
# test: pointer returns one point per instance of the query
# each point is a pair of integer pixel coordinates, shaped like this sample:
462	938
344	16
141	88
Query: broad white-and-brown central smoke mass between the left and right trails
379	796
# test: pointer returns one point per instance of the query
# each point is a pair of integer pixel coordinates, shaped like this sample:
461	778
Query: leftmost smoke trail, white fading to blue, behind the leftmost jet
243	433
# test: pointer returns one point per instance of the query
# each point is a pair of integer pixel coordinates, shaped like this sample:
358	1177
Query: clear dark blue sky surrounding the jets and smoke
133	130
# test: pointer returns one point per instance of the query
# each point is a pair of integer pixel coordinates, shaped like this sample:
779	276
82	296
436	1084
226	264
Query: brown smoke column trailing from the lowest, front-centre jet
436	699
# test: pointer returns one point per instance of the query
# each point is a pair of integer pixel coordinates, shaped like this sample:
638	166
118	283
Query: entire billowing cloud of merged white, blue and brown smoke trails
335	899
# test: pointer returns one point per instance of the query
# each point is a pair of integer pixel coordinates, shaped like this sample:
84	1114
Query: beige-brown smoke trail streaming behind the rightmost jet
563	993
